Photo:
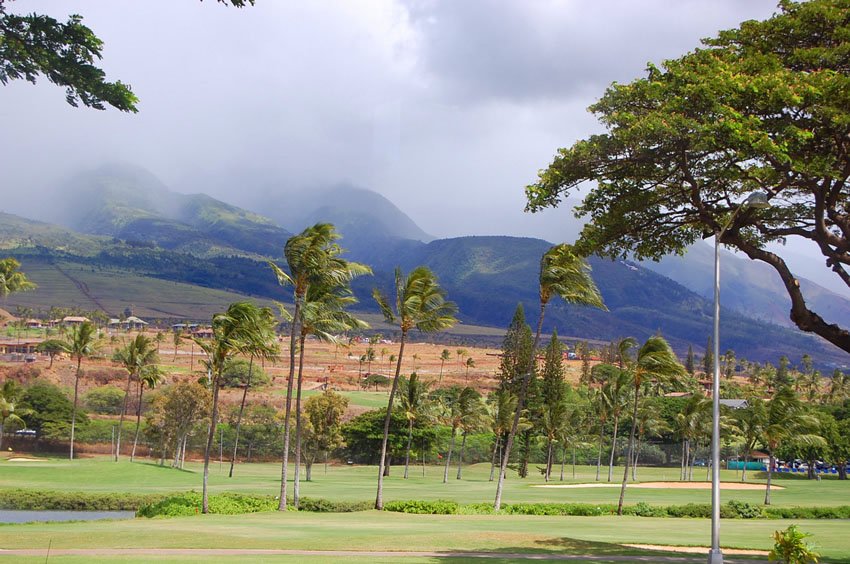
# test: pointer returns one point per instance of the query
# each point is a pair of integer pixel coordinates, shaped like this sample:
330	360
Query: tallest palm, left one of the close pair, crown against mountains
312	256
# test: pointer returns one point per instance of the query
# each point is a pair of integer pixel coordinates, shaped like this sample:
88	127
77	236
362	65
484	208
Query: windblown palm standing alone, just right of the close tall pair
420	303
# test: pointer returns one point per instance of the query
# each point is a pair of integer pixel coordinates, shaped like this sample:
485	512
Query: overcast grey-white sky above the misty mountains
448	108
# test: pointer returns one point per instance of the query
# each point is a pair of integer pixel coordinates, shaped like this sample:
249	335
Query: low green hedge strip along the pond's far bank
36	500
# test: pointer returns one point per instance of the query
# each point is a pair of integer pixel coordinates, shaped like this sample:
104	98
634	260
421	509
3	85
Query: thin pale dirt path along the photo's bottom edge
212	552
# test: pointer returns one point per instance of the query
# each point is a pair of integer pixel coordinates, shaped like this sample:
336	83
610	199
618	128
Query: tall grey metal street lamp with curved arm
756	200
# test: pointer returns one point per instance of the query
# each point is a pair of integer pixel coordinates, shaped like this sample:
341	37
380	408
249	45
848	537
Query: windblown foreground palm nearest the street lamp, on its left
656	362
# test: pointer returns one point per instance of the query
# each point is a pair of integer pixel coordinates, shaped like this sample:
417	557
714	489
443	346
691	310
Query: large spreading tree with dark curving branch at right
763	107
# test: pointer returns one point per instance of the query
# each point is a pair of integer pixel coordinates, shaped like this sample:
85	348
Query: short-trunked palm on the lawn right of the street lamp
786	418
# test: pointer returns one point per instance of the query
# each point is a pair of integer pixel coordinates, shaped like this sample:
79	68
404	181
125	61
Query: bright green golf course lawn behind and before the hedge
370	530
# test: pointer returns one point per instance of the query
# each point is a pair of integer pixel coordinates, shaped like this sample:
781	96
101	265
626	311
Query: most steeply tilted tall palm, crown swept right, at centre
566	274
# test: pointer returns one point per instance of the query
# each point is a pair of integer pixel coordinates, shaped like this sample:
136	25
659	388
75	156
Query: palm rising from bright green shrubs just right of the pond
233	333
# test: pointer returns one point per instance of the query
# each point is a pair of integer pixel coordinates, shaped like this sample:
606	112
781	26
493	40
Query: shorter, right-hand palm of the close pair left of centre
323	315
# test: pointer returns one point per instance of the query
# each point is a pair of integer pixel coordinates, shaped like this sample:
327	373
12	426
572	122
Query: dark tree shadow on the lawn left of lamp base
573	550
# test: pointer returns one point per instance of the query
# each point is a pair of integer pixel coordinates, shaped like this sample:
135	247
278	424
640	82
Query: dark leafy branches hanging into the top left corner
65	53
